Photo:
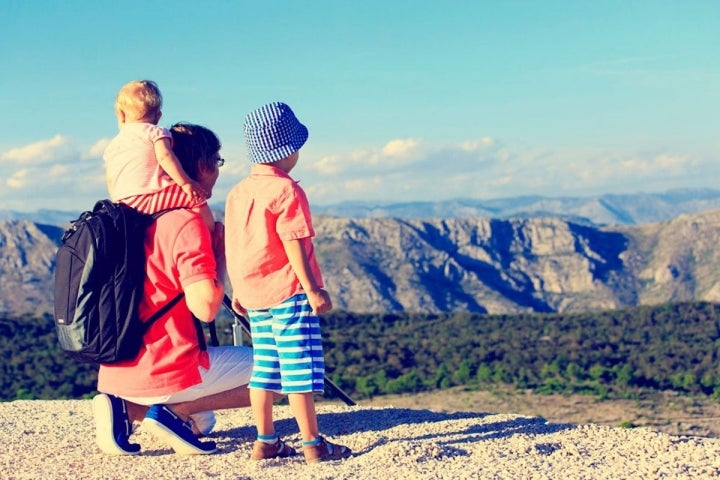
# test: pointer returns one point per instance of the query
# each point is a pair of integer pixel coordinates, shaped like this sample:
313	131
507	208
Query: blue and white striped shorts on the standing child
287	348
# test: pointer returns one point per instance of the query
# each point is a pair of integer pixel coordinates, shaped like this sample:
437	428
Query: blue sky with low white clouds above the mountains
404	100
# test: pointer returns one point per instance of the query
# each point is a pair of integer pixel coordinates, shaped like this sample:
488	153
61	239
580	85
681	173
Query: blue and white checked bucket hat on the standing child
272	132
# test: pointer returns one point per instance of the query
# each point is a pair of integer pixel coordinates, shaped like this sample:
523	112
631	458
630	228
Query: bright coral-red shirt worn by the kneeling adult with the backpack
179	252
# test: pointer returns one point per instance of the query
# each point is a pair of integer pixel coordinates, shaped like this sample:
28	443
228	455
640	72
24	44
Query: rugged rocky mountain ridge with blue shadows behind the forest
478	264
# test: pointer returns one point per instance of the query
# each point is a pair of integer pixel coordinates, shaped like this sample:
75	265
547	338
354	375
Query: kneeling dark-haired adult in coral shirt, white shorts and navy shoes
173	377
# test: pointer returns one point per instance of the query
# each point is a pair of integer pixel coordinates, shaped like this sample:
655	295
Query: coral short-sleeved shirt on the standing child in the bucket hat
260	212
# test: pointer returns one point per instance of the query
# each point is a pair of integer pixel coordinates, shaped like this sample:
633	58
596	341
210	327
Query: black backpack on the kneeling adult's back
99	276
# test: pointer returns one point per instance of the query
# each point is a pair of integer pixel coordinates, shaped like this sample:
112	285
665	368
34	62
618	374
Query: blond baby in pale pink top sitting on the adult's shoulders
140	167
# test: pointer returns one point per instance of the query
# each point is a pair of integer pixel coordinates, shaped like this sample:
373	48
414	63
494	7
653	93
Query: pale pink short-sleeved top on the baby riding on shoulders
131	167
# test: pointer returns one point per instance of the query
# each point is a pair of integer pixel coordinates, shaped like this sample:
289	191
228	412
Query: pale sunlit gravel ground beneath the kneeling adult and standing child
55	439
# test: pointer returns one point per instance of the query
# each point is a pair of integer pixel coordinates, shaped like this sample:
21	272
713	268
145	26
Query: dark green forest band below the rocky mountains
607	354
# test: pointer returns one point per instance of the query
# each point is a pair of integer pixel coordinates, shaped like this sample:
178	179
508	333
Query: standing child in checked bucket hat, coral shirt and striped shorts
275	277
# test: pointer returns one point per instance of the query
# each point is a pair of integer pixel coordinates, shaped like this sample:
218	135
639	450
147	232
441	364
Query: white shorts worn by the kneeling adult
230	367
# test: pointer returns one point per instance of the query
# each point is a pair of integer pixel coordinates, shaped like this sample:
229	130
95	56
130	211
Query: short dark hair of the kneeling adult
194	145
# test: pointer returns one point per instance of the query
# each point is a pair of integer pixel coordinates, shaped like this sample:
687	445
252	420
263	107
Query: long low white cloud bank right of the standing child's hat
485	168
